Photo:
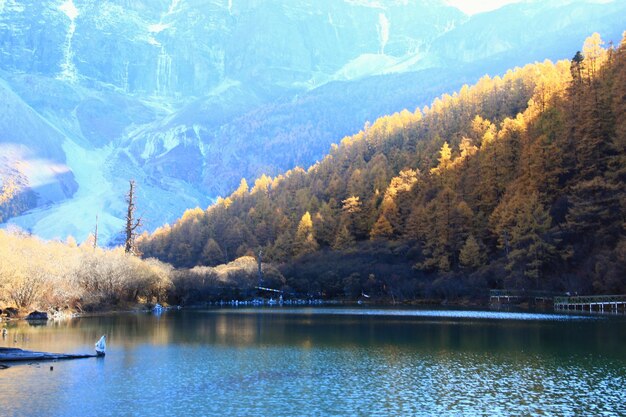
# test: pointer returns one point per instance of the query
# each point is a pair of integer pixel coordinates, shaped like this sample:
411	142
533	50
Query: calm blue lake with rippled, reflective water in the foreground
323	362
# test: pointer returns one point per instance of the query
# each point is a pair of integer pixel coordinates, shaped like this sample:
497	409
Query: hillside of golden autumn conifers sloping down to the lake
516	182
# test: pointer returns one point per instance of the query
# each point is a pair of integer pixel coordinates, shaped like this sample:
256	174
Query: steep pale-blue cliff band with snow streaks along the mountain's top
187	47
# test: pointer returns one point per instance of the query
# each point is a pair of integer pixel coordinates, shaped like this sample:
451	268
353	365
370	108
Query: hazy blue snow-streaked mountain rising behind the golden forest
188	96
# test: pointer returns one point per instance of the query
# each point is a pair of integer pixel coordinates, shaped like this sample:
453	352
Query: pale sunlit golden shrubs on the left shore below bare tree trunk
64	277
